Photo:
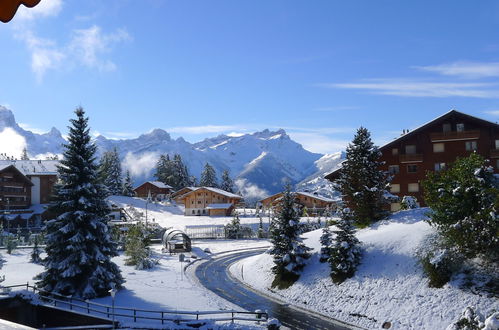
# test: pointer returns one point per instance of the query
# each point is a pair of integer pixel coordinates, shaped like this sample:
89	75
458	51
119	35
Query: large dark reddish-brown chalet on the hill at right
432	147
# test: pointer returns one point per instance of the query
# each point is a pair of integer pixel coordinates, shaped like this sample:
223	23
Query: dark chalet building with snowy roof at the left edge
25	186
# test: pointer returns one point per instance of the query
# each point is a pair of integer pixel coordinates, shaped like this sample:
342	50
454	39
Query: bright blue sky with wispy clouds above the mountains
318	69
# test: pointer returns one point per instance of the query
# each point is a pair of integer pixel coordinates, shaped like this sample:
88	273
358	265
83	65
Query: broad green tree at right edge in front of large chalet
464	202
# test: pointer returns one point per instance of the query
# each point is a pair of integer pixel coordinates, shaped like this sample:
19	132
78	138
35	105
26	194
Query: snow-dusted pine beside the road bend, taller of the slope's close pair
288	250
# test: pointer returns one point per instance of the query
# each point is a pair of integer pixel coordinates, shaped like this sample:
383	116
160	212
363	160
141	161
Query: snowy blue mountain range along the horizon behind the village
261	163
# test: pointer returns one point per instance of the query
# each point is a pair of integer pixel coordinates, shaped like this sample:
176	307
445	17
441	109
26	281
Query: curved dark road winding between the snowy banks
214	275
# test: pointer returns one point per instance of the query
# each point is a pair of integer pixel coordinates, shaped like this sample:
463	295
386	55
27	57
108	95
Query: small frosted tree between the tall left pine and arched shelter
137	248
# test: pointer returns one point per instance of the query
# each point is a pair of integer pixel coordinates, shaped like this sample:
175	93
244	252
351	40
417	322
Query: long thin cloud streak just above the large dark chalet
415	88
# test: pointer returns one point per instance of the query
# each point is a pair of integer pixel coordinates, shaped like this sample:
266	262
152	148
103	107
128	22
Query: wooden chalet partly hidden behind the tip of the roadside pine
315	203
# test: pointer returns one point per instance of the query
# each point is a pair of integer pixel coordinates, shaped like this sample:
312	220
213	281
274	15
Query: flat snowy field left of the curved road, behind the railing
161	288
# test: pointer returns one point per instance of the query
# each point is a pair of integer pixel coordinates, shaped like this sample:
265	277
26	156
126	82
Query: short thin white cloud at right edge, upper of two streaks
465	69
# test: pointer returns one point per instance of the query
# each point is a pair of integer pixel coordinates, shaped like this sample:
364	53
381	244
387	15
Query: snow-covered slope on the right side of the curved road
388	286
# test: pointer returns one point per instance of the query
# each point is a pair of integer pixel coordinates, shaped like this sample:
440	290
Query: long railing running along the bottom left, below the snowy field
96	309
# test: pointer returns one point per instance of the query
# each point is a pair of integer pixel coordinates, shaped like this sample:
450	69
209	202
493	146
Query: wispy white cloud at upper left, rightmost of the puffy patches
88	44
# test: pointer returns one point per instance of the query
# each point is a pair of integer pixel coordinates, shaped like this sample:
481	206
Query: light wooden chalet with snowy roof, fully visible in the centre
209	201
